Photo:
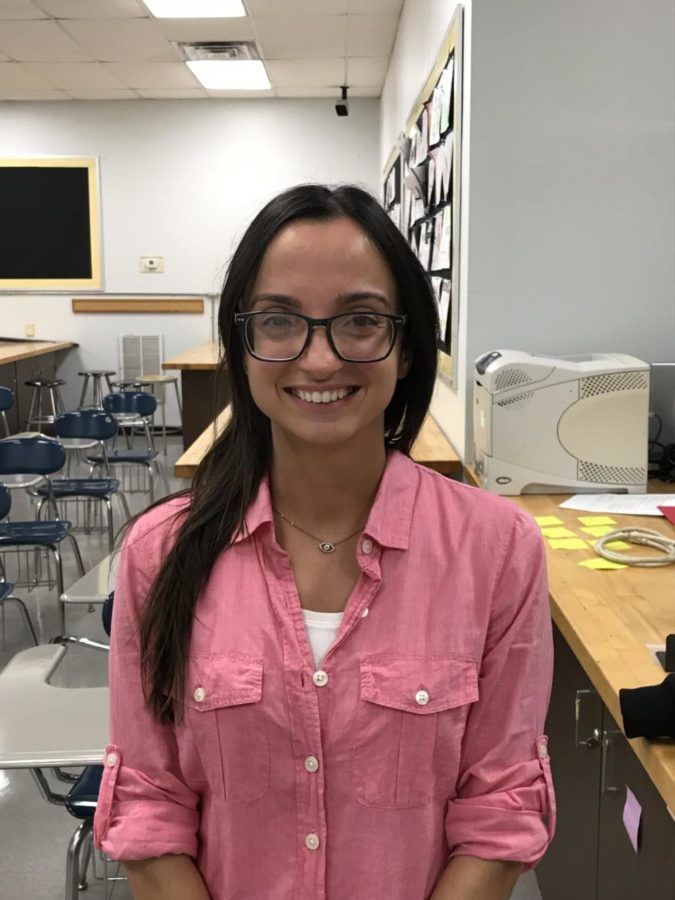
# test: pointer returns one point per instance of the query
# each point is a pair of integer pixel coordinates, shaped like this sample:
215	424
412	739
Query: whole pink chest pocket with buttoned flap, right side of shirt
409	727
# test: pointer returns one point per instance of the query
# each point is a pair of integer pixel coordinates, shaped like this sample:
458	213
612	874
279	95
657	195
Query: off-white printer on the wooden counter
567	424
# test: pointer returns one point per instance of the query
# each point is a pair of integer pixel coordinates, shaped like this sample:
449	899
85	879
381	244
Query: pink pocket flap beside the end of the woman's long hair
217	680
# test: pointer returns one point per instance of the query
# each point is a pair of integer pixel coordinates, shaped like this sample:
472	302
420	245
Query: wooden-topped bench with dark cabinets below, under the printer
603	621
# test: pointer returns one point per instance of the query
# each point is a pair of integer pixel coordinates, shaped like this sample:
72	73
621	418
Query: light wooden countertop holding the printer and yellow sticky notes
607	618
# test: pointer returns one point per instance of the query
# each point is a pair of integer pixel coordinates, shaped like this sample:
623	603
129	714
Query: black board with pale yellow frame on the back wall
50	224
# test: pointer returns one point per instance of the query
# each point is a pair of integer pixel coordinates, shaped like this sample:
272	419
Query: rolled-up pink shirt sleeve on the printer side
505	805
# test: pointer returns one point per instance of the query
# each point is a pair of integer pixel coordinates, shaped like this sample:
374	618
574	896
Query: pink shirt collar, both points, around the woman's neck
390	518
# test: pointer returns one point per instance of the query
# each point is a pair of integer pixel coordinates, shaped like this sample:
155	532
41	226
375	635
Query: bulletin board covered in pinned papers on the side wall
421	187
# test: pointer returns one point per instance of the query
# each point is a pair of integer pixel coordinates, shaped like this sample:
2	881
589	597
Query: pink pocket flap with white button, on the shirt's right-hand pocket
421	685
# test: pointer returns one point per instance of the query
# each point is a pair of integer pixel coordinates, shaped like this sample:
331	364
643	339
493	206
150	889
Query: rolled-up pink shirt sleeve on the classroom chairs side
145	808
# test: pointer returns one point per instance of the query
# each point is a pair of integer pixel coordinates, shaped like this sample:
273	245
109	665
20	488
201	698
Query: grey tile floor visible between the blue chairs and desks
34	835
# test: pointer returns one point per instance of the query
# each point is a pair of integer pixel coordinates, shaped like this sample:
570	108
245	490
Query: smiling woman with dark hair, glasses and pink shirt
346	657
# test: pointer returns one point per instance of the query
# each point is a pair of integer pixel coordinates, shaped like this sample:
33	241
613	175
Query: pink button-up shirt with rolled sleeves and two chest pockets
420	738
